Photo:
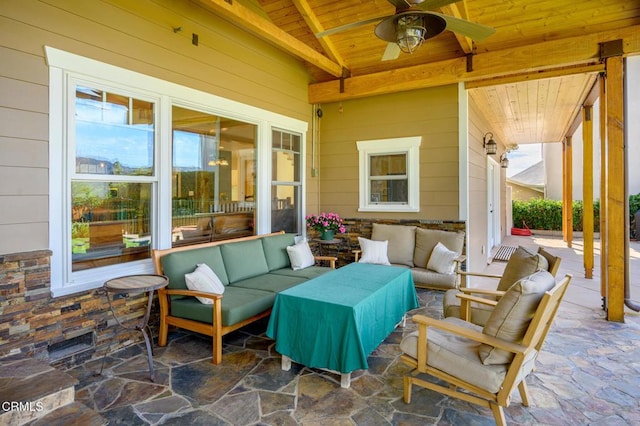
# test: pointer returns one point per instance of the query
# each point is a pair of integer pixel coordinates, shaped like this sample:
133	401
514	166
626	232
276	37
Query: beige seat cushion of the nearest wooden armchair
457	356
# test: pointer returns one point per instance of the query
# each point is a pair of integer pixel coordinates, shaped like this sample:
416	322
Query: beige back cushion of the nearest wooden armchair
513	313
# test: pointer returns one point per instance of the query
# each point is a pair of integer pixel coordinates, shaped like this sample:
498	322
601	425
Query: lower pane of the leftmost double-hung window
110	223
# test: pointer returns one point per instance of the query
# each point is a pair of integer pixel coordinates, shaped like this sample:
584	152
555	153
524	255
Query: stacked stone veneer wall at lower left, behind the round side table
31	320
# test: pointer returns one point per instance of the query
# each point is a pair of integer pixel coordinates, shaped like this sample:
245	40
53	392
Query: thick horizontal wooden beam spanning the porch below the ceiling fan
573	51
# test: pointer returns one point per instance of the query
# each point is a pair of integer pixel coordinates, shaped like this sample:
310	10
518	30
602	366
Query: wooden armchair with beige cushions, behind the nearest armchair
475	304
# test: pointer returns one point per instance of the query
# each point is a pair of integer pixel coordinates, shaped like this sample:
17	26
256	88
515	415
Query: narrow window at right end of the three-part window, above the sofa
286	186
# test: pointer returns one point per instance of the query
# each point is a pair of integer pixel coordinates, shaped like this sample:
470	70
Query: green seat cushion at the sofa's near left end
238	304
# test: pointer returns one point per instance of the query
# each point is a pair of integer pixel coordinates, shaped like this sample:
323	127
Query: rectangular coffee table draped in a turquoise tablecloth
335	321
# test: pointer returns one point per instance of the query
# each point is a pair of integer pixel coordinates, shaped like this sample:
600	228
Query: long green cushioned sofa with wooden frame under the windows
253	270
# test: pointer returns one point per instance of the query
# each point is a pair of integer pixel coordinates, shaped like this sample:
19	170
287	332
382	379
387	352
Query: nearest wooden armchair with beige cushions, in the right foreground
484	365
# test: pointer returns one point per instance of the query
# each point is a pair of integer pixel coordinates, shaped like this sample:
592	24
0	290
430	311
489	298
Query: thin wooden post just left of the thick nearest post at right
603	190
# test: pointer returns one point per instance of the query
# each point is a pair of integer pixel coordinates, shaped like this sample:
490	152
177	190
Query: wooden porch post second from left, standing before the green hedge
587	189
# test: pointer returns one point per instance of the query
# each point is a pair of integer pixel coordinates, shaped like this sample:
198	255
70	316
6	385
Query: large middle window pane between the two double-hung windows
214	177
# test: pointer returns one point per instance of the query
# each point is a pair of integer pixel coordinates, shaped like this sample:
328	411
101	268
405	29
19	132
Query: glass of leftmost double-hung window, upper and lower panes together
112	186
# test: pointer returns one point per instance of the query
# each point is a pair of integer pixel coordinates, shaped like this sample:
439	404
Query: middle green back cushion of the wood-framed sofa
244	259
